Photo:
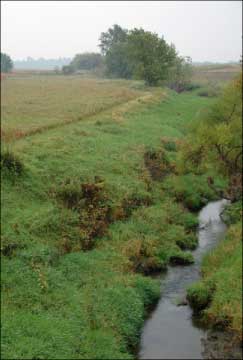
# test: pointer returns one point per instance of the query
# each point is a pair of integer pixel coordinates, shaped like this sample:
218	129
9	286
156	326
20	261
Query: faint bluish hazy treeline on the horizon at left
41	63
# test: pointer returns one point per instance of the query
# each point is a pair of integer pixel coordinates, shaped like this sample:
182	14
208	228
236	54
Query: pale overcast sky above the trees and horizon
204	30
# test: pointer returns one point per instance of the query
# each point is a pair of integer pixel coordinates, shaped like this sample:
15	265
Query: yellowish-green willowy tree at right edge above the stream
216	139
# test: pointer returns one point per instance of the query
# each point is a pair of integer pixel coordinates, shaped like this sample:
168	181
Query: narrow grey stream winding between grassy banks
170	332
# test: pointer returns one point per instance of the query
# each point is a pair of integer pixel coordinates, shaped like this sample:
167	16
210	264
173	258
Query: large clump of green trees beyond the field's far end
142	55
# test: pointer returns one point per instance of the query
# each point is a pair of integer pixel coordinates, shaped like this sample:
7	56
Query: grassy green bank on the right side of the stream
218	295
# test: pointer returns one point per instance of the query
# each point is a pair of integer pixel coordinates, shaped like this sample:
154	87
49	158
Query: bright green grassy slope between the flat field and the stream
87	304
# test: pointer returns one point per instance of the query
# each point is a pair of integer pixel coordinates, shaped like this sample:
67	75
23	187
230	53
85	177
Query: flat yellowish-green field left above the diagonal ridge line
31	104
